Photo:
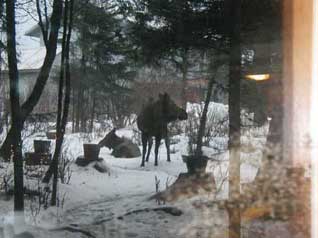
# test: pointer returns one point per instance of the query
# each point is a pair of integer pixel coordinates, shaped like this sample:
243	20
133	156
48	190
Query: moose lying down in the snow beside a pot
122	147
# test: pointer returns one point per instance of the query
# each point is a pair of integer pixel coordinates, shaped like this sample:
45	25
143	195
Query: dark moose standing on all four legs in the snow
153	122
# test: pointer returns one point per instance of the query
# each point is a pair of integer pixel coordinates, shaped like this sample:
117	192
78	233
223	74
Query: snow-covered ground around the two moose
117	204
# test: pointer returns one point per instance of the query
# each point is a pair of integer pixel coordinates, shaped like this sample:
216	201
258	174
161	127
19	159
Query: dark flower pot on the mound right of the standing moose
195	164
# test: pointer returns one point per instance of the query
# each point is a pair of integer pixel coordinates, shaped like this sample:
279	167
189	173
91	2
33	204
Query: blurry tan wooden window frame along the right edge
297	82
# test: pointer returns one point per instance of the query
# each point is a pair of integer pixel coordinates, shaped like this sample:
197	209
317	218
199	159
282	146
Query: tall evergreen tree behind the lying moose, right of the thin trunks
105	59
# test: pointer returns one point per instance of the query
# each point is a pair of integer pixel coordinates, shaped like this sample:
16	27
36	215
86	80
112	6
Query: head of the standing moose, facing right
170	110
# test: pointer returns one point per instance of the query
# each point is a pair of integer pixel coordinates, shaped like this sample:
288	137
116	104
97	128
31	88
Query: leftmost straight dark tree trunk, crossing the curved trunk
16	122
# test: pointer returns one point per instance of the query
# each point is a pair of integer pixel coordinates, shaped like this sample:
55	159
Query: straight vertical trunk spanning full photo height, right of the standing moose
234	142
